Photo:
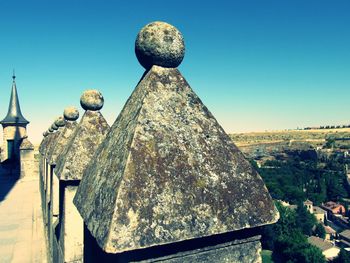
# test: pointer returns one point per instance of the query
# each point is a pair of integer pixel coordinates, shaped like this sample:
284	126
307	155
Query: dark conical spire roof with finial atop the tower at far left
14	114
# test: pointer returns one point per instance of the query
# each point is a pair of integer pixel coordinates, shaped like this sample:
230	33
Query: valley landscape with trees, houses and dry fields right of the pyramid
301	167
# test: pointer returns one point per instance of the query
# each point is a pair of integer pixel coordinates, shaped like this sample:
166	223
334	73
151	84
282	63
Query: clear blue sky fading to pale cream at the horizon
257	65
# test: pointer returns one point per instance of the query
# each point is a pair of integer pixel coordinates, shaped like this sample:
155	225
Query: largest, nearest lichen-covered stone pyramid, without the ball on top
168	172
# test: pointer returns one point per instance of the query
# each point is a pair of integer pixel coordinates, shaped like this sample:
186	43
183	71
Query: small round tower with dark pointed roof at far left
14	125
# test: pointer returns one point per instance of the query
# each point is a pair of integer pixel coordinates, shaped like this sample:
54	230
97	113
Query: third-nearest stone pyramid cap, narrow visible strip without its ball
62	141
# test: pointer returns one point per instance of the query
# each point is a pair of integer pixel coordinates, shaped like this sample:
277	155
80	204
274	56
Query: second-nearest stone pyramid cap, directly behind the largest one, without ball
86	137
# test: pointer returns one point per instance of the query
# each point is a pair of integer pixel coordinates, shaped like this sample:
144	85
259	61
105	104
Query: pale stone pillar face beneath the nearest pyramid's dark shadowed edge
240	251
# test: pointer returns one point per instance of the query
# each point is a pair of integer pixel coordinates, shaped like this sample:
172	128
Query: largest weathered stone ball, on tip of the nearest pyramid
160	44
